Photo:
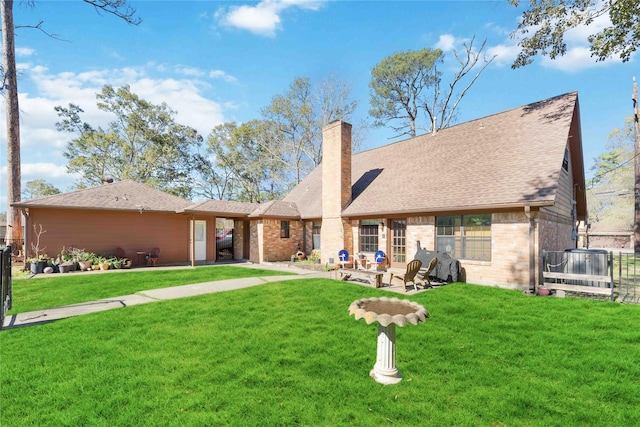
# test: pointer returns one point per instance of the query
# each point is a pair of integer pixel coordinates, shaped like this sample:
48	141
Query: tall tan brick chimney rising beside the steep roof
336	189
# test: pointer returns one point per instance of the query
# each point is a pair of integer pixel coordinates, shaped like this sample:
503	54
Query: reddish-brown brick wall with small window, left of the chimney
275	248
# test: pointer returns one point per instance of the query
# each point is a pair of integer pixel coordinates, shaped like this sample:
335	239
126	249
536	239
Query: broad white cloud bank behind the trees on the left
180	87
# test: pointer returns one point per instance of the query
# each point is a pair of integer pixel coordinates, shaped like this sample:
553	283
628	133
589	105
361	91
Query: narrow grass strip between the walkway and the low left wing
64	289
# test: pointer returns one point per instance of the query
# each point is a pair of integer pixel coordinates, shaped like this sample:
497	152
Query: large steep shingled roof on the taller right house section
501	161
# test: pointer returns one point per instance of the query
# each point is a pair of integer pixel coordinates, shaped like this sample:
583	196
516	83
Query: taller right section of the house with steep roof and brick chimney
493	192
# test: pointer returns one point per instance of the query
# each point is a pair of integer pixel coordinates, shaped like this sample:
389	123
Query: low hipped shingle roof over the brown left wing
123	195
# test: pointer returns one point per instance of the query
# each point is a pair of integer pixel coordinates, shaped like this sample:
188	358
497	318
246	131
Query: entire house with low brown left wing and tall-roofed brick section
492	192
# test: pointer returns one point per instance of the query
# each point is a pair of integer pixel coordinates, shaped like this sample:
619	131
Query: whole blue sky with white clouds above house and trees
221	61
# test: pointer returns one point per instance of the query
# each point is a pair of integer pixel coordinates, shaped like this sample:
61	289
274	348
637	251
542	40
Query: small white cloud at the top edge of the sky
263	19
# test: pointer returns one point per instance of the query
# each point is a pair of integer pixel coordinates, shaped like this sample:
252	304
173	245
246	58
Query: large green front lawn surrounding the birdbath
288	353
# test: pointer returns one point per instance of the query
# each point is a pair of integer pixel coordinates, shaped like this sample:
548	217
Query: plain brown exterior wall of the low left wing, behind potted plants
102	232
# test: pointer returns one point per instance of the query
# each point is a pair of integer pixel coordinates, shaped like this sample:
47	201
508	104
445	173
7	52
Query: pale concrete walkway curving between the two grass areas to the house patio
153	295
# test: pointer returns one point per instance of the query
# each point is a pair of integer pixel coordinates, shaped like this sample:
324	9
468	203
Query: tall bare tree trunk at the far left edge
14	216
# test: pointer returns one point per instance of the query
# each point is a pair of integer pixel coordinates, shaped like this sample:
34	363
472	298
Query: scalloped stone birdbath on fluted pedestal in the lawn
388	312
